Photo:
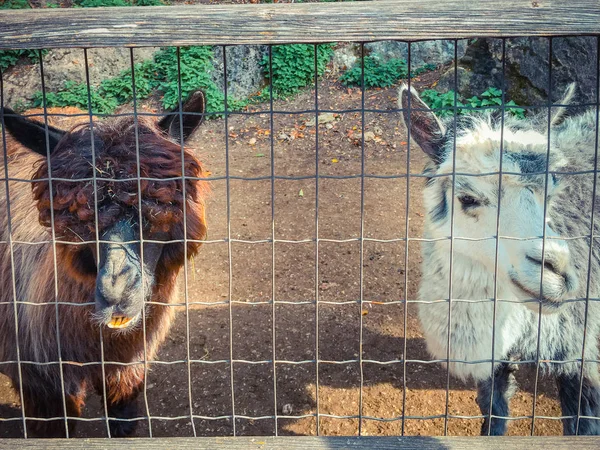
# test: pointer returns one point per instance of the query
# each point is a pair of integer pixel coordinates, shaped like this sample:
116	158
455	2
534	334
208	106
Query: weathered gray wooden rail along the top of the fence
285	23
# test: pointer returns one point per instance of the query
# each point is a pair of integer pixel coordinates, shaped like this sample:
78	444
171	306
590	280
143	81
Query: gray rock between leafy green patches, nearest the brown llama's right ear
244	73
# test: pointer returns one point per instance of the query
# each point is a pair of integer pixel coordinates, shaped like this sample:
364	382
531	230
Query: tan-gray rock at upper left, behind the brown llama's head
22	81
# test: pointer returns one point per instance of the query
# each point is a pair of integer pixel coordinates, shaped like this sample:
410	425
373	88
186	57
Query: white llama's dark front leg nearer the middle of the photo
504	387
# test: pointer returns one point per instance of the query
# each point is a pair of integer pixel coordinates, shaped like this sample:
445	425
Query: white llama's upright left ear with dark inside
425	127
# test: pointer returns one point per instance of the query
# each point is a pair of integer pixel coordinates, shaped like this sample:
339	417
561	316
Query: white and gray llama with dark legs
519	268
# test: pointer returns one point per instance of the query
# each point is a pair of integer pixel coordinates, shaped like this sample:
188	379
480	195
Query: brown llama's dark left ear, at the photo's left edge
30	133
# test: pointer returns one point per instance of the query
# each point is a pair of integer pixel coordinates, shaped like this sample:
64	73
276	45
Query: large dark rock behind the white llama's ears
527	69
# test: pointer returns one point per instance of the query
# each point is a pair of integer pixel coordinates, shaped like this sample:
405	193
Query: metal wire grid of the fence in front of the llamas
361	301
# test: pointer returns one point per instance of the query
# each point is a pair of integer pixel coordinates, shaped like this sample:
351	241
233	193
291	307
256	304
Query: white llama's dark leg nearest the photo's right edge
568	390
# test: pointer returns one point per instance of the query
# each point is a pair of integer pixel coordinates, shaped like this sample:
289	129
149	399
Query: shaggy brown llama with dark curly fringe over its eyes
104	291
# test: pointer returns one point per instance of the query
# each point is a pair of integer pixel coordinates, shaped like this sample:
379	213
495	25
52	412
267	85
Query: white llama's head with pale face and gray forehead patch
476	195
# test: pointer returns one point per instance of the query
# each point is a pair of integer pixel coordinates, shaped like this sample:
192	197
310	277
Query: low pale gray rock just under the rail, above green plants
426	52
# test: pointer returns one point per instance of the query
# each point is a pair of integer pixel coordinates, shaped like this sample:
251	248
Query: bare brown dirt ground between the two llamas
287	272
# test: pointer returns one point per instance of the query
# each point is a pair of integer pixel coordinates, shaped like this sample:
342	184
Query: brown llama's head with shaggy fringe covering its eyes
102	221
